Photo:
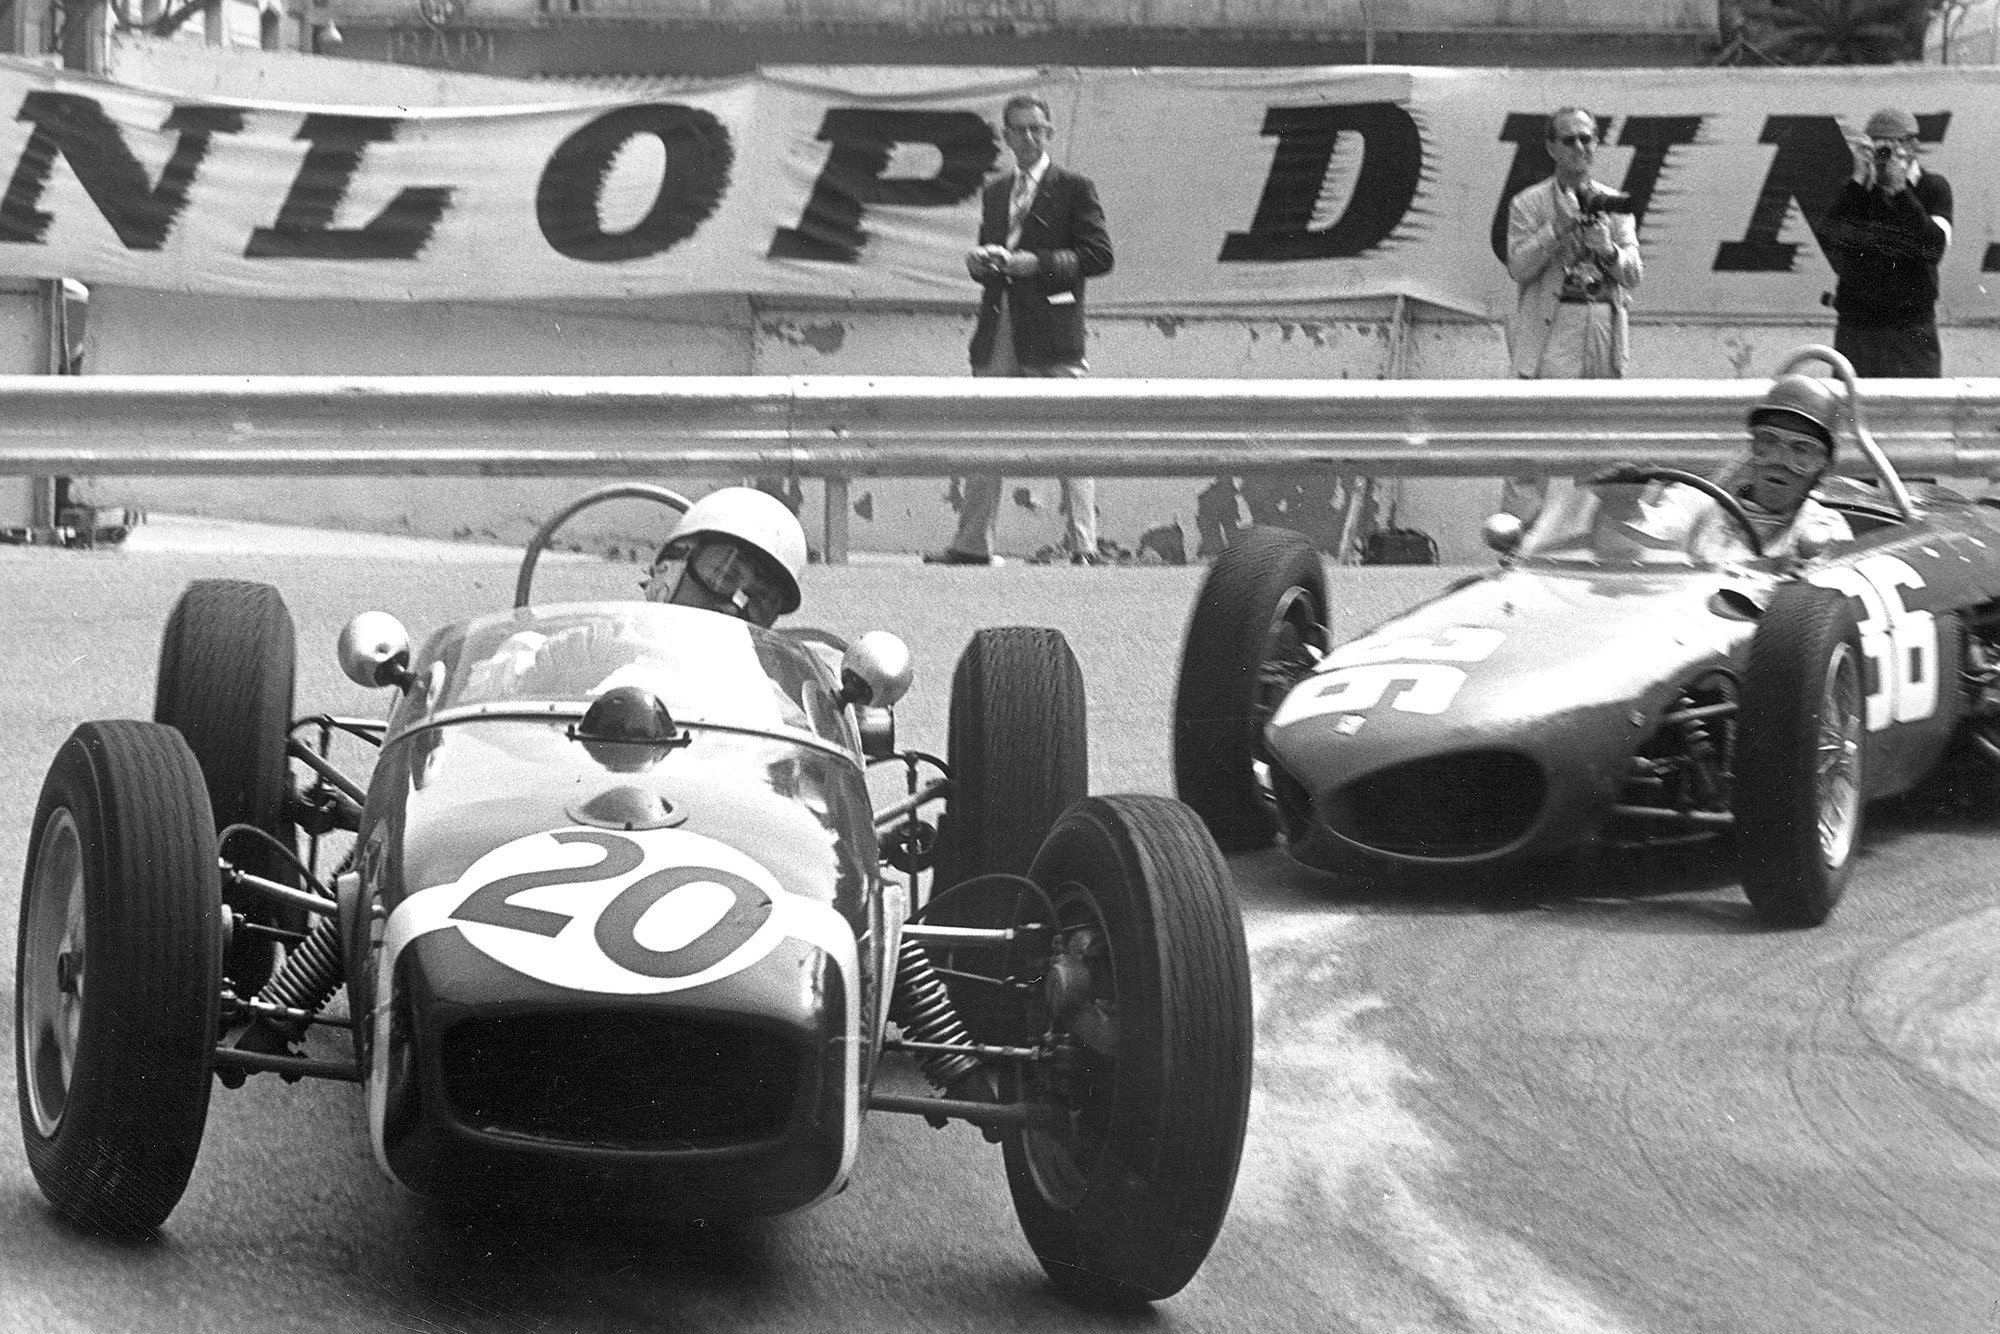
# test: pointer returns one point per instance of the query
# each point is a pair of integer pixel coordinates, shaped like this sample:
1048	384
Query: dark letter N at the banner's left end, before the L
77	127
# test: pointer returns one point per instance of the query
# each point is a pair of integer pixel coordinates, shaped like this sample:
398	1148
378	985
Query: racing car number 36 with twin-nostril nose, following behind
1605	691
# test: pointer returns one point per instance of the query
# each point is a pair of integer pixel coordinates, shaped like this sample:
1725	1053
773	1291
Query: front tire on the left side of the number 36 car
1253	635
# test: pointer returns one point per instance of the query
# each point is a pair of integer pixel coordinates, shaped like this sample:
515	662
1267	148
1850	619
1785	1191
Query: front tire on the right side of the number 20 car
1153	983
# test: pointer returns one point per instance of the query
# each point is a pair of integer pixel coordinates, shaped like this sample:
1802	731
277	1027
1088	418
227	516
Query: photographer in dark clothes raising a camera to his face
1885	235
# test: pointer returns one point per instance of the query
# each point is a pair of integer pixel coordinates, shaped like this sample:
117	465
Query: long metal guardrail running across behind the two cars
849	427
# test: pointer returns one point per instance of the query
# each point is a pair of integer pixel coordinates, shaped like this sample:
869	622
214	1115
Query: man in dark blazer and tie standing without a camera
1041	237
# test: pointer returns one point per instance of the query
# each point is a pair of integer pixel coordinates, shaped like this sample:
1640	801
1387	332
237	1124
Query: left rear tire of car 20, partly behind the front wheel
227	669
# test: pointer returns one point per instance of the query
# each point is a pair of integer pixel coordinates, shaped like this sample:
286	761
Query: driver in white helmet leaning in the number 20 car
737	551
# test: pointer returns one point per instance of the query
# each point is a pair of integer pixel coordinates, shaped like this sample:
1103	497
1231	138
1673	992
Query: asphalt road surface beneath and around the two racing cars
1605	1107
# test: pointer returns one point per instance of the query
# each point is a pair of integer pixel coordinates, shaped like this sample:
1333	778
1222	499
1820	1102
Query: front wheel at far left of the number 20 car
119	977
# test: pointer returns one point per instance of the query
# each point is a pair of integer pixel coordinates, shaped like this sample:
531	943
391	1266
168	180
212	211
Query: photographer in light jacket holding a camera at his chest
1573	251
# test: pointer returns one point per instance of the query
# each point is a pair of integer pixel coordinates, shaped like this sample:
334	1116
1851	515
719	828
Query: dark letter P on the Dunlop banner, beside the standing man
831	229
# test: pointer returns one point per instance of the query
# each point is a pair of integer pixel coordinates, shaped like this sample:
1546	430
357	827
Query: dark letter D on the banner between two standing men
1393	165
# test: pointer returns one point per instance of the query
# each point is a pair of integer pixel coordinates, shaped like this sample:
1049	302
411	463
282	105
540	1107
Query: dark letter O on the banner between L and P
699	157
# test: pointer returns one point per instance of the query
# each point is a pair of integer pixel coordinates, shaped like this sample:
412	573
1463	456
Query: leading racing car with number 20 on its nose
623	933
